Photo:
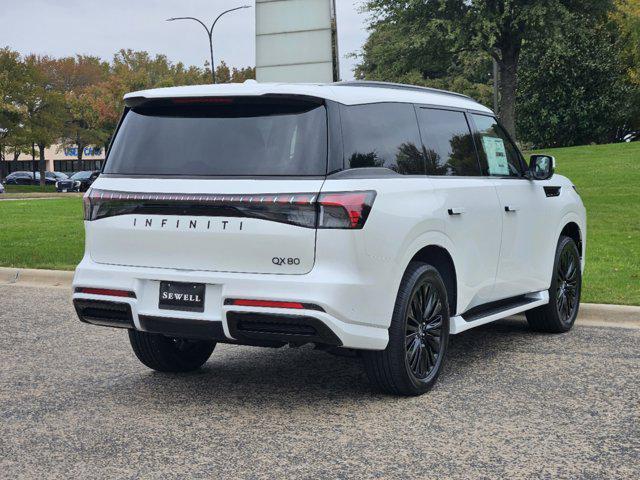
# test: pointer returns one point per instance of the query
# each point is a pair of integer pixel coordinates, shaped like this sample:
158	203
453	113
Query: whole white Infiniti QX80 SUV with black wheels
373	217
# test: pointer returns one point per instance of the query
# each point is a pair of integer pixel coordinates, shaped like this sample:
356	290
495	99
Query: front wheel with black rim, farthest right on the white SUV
559	315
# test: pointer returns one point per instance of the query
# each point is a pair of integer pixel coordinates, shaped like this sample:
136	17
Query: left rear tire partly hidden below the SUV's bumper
166	354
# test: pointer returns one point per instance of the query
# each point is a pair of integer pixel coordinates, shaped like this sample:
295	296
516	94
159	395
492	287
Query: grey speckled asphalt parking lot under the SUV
75	403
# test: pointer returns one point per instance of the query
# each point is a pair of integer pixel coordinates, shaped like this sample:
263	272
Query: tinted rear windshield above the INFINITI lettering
231	137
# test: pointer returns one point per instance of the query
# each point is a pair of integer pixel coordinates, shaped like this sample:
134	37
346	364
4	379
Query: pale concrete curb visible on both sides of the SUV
590	313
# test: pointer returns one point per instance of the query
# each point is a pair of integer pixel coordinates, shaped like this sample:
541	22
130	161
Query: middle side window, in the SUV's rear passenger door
448	143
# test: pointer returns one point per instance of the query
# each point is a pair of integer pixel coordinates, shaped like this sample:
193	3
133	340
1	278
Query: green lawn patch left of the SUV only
41	233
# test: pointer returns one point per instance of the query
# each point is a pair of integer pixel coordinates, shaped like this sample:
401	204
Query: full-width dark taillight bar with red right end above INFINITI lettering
345	210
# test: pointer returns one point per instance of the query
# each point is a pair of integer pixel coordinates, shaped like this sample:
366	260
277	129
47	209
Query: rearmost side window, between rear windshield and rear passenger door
382	135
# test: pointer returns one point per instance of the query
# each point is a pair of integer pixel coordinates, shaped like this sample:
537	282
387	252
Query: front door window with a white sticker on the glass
498	156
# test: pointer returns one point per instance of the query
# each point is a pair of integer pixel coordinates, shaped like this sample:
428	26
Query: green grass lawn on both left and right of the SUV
49	233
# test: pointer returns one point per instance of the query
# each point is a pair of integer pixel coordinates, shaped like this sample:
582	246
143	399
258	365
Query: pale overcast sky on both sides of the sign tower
102	27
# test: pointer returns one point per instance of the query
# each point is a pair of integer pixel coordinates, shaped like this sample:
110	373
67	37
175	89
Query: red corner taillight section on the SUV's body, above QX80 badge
348	210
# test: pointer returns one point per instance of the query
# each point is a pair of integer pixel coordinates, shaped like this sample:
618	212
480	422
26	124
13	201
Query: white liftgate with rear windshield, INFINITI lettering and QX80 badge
224	185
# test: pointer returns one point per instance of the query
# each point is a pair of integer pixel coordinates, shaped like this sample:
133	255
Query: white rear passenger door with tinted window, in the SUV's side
470	204
